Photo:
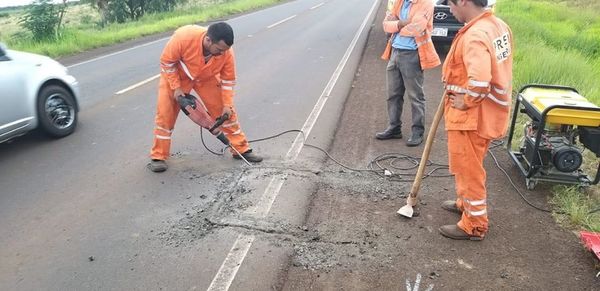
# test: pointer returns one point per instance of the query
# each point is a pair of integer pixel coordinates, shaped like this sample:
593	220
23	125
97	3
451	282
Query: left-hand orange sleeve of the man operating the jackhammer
169	60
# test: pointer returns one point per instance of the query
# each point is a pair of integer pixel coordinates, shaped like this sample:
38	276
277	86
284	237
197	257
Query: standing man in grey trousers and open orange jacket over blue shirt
409	51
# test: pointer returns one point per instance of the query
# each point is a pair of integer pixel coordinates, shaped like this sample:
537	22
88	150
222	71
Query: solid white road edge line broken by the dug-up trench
236	256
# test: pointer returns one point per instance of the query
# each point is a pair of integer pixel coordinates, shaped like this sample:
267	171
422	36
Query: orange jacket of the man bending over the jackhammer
182	60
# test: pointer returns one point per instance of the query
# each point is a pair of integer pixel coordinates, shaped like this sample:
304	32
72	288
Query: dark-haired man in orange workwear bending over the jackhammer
199	59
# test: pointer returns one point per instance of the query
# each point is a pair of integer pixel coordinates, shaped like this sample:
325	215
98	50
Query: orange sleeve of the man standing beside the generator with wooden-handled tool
478	63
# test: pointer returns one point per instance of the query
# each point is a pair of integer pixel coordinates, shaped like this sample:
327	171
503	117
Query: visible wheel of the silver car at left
56	111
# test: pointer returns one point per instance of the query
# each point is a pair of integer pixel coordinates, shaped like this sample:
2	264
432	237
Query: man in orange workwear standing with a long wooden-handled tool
477	76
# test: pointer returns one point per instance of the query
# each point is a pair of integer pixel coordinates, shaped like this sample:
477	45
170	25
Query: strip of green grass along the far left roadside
77	39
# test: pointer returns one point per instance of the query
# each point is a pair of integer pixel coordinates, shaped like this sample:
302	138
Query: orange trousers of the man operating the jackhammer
168	109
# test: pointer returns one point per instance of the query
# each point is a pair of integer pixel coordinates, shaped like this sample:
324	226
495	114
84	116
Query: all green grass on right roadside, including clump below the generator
559	43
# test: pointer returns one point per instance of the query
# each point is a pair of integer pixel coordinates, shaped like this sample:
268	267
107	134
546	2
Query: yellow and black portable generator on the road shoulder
561	125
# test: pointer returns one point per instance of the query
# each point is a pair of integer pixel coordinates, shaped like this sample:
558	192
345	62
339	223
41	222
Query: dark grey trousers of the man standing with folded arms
405	76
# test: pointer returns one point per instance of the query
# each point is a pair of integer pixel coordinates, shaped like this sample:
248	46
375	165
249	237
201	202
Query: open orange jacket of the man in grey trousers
419	27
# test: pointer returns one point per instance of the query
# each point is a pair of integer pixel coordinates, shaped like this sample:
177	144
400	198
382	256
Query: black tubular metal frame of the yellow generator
533	173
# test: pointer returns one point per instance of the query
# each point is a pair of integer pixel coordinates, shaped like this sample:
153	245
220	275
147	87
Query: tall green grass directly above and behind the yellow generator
555	44
